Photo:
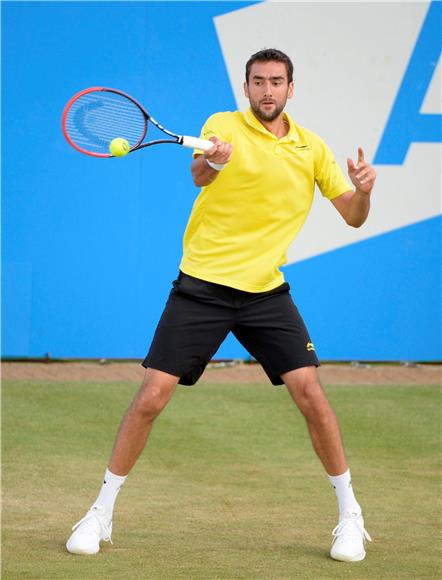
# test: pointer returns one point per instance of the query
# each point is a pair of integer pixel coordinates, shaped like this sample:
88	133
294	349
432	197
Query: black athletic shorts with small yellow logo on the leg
199	315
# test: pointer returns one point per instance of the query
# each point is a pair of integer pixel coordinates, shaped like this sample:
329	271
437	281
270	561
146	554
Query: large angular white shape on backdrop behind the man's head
349	59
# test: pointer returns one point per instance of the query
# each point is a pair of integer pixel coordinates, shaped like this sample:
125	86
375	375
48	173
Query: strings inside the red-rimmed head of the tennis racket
98	117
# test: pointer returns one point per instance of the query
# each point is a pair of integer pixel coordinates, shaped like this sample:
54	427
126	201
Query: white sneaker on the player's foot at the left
89	531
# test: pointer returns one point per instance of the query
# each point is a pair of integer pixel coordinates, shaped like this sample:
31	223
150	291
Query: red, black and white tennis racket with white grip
94	117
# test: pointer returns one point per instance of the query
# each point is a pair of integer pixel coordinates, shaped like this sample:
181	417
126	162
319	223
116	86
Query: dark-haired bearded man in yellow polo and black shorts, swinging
257	185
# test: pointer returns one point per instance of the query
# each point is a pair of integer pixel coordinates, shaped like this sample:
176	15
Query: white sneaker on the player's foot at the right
349	538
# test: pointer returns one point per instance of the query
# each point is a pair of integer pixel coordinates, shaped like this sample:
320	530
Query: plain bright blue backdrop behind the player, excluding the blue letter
90	246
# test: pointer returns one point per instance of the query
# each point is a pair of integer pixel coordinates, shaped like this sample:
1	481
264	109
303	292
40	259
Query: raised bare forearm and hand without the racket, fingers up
355	205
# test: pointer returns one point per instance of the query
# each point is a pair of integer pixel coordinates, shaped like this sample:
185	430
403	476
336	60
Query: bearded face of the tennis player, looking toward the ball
268	89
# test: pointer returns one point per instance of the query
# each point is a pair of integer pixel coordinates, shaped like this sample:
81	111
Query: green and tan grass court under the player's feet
227	488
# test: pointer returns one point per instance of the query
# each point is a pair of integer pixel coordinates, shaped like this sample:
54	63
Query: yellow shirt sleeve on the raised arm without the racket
328	175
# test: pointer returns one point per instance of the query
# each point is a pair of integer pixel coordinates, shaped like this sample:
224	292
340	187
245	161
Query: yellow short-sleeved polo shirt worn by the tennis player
242	224
